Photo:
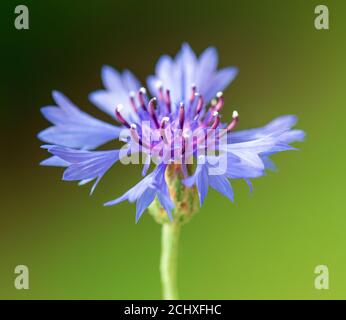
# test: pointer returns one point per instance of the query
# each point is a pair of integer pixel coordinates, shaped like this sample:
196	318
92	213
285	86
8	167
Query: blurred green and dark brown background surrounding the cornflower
265	245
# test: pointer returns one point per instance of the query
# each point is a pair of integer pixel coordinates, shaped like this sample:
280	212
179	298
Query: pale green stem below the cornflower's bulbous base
169	259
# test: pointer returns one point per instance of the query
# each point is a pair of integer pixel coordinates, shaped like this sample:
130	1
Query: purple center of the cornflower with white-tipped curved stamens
175	134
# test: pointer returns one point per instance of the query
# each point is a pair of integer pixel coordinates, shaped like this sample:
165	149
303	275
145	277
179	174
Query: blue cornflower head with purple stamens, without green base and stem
181	124
